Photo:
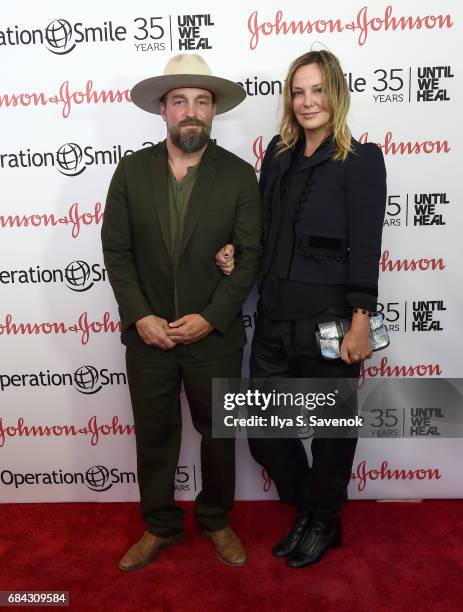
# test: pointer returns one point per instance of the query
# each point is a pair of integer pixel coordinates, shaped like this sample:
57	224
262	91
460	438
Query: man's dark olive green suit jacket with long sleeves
224	207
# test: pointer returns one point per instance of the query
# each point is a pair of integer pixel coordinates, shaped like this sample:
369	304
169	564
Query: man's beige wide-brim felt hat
186	70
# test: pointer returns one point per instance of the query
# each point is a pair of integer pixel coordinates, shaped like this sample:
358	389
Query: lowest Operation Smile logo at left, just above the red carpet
97	478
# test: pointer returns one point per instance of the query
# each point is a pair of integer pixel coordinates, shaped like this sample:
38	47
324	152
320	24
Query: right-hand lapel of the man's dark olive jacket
203	185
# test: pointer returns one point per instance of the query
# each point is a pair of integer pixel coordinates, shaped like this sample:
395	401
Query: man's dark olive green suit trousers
155	380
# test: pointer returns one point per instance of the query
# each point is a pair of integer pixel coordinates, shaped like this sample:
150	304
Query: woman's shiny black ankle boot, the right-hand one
320	536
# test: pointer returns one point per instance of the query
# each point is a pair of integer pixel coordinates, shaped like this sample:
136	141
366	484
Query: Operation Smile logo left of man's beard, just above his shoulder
70	159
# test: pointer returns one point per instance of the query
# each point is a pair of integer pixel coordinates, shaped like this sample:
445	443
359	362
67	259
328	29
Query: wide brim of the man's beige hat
147	93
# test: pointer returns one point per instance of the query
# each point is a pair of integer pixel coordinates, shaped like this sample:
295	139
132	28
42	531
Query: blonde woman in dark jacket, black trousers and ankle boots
323	198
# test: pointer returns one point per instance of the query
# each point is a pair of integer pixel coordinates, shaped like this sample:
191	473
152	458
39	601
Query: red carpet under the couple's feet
397	556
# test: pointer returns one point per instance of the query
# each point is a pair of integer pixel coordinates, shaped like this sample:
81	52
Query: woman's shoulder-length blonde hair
337	100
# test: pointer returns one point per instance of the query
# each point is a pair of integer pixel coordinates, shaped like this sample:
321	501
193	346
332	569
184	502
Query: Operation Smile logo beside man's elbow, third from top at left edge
78	276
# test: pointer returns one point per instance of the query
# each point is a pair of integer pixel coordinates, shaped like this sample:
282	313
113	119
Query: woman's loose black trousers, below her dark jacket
287	349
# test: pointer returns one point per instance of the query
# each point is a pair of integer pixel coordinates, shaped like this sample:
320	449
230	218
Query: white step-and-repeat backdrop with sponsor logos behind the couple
66	428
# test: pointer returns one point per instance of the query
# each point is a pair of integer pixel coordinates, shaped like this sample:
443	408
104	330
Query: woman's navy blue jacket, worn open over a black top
338	220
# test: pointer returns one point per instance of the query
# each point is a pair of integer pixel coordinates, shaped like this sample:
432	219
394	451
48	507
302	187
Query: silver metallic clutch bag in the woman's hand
329	335
